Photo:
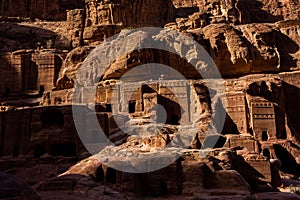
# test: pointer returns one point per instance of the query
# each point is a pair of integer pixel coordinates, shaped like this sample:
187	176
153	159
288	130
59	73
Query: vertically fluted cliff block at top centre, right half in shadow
123	13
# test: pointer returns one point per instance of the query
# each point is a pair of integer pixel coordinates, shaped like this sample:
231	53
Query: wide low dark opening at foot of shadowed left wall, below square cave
67	150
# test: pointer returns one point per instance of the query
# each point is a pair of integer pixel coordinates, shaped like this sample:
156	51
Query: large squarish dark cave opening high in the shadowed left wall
52	119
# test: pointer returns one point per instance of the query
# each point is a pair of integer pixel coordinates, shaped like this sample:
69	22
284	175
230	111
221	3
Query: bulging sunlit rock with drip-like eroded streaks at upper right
248	48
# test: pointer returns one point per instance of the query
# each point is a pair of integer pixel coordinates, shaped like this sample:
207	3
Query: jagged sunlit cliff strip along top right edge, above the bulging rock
236	11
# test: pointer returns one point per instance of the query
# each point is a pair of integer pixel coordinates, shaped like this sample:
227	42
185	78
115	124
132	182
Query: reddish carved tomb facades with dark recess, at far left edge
28	70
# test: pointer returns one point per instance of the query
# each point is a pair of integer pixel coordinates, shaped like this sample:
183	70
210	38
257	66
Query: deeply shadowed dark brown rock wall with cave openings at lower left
40	130
